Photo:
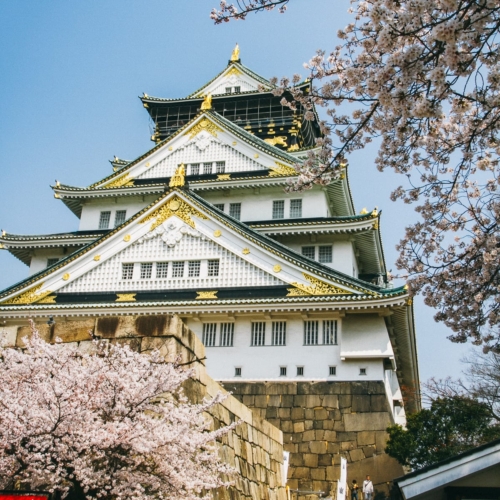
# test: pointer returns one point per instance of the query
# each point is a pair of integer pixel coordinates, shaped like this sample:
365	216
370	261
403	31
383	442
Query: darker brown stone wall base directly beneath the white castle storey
322	421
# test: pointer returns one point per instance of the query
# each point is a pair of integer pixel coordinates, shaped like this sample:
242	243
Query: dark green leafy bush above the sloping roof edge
450	426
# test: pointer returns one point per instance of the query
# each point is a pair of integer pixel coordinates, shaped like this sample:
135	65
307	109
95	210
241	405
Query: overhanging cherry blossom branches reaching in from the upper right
421	78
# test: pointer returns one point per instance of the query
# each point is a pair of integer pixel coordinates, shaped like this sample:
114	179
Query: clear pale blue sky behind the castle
70	76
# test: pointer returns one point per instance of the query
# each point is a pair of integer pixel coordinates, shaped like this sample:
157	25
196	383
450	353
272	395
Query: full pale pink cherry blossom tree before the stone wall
109	424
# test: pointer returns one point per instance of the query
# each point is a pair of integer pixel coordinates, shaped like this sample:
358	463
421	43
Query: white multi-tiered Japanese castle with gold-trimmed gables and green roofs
280	286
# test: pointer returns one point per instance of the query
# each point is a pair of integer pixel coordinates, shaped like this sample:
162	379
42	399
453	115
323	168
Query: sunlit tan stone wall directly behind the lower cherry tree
254	448
